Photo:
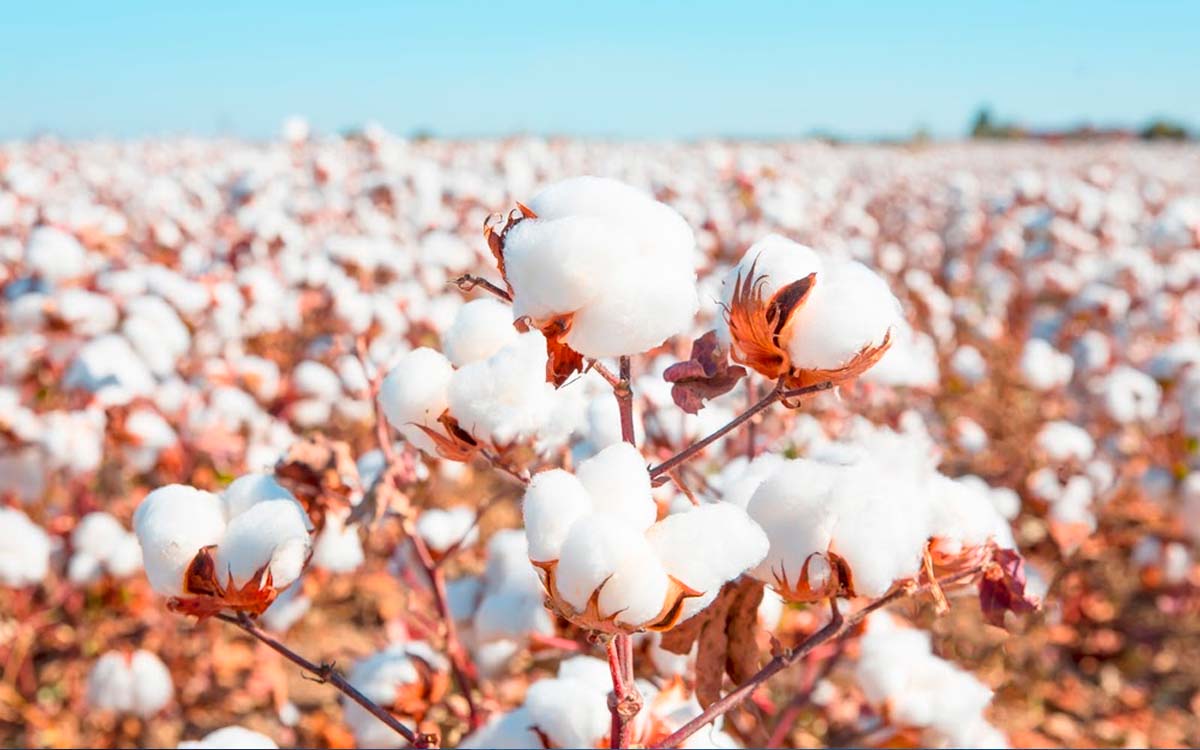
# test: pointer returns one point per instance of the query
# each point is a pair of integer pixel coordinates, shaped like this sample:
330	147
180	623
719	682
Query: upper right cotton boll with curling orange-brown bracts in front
790	309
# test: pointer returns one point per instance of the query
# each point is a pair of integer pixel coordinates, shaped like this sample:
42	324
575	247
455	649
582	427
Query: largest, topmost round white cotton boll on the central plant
602	267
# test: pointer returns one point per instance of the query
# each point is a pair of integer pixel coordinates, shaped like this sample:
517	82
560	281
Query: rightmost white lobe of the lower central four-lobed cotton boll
706	547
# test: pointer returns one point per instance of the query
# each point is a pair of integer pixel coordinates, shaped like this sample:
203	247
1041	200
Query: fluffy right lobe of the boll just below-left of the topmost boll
506	398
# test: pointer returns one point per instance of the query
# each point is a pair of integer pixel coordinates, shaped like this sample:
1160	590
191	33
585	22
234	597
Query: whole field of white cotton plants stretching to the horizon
363	441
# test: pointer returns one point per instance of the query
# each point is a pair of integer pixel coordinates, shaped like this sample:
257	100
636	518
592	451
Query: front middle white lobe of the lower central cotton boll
592	551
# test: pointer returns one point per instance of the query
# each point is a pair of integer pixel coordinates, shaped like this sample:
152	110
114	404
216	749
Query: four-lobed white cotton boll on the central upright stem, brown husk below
609	566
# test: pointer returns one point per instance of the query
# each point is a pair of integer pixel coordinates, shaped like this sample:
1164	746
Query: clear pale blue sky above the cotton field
629	70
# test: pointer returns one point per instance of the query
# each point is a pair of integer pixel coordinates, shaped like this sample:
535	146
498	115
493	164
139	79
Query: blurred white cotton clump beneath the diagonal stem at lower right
899	674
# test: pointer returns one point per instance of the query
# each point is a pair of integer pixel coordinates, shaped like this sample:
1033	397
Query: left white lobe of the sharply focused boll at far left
173	524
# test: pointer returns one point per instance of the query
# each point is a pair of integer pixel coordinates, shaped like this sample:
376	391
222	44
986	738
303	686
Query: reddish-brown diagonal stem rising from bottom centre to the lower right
836	629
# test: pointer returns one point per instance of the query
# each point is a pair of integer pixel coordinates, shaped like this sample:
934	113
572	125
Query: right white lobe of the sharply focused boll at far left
271	536
